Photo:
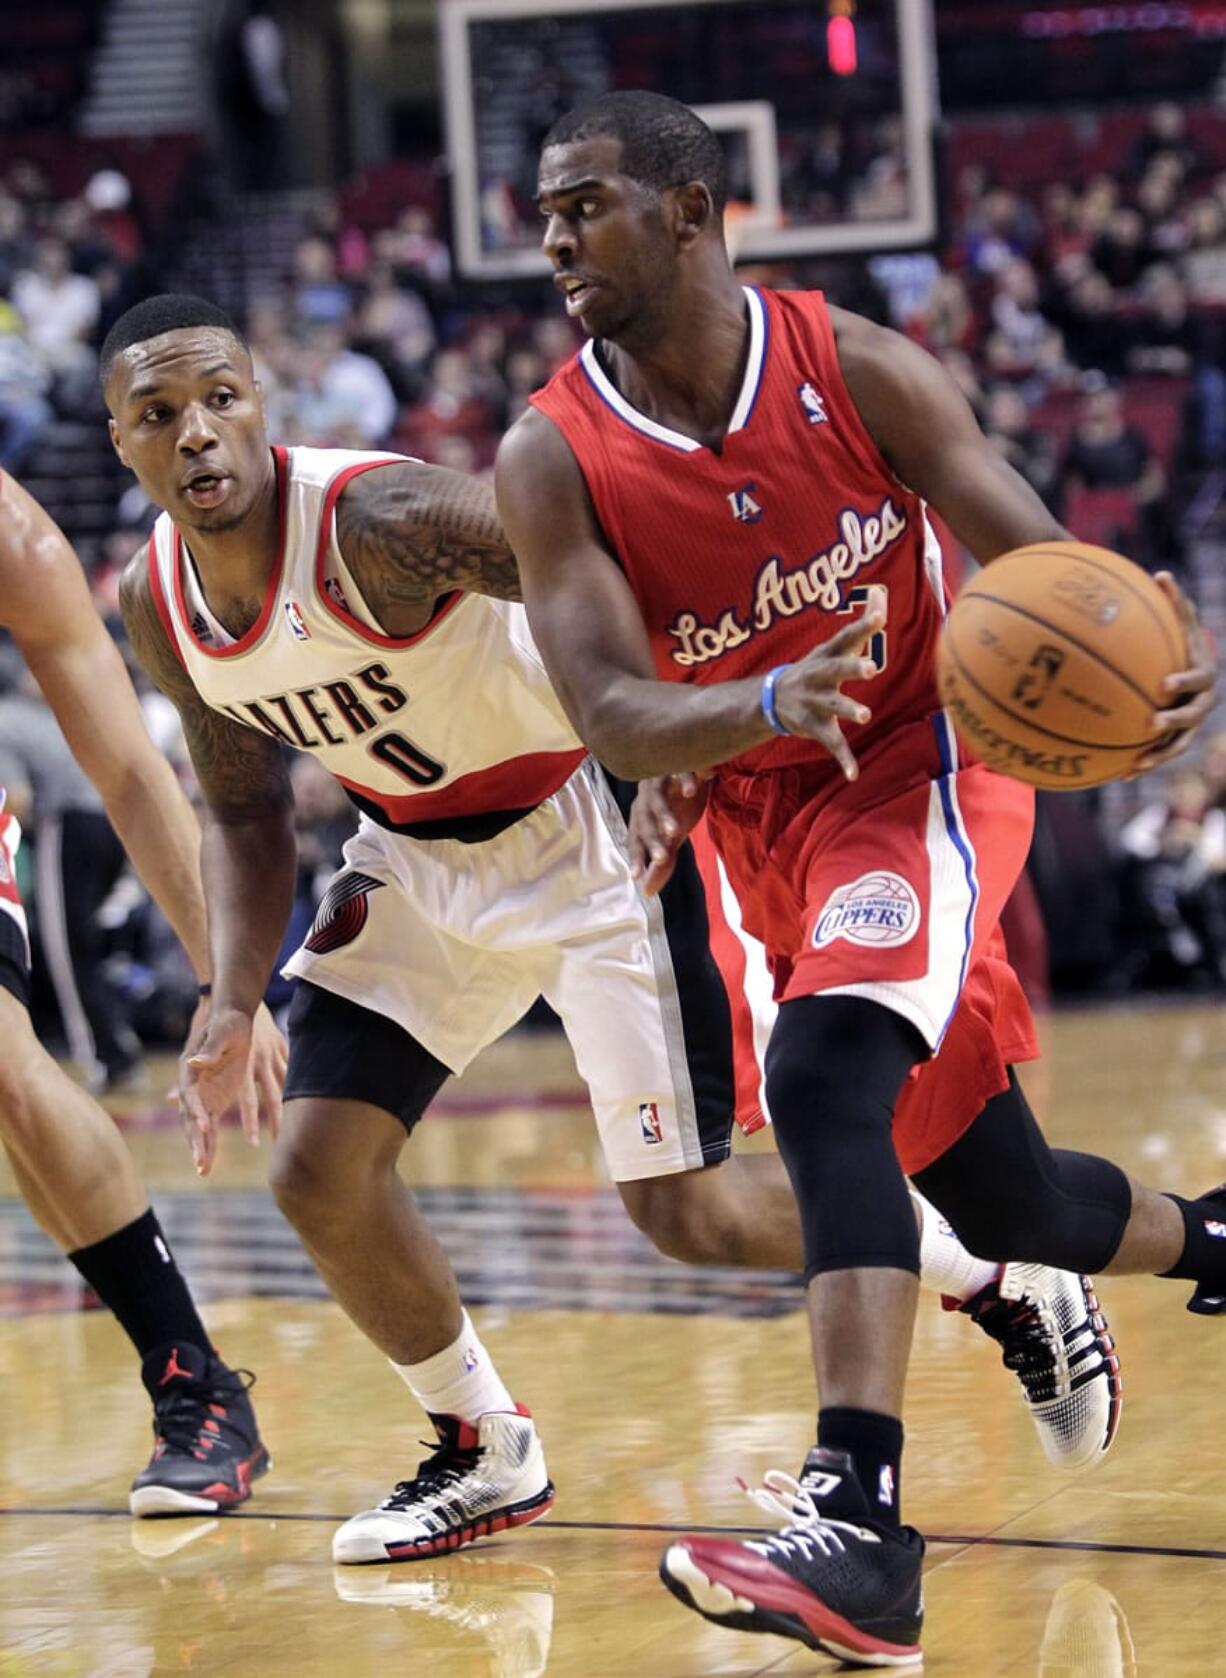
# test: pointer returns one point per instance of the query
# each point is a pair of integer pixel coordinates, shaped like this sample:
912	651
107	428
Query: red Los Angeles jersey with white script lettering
749	558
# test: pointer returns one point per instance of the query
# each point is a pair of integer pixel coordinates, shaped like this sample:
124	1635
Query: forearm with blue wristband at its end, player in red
642	727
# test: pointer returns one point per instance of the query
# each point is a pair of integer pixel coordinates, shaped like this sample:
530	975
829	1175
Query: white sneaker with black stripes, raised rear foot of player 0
1057	1343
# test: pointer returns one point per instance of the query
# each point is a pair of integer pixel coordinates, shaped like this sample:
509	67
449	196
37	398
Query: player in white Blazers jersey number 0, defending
365	608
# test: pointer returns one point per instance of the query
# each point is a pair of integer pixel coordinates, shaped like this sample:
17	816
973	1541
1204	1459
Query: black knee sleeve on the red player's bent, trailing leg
1009	1196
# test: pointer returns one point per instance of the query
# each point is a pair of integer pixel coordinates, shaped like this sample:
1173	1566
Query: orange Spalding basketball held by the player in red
1052	664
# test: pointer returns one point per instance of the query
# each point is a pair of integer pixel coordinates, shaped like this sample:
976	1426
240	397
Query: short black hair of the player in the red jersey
663	142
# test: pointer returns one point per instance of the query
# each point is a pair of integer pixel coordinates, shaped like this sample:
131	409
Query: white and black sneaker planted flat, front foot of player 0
481	1481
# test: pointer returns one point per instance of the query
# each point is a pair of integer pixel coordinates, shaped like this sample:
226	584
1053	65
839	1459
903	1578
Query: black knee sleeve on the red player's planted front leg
834	1073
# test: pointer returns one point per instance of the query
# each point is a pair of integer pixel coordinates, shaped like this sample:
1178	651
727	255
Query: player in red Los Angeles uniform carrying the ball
717	513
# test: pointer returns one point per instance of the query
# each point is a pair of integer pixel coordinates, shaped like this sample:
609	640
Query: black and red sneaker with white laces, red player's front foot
833	1576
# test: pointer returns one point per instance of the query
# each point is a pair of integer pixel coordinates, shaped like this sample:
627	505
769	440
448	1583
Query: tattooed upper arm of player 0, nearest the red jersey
413	533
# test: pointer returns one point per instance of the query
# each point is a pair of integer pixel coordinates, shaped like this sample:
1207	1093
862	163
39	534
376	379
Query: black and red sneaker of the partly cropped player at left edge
207	1447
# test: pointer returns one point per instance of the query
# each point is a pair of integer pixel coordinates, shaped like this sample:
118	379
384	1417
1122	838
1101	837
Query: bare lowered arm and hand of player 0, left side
249	865
